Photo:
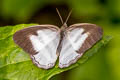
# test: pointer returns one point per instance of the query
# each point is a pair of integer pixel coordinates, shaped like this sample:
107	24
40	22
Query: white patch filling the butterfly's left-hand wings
45	44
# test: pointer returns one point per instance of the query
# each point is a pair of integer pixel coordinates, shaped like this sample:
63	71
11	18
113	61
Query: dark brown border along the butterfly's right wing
95	34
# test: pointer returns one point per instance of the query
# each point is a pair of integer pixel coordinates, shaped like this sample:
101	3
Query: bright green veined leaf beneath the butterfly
15	64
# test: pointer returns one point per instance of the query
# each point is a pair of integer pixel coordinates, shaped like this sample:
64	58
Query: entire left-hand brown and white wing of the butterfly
41	43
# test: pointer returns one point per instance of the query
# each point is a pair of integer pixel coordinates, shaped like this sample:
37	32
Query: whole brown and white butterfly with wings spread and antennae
46	43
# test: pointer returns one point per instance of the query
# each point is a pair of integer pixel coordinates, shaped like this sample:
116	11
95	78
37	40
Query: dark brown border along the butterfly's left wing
21	37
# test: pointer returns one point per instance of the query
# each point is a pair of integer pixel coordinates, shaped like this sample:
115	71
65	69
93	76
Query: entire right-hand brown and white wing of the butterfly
78	38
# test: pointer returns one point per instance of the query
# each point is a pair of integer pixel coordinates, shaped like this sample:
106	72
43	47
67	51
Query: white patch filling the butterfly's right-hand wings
71	43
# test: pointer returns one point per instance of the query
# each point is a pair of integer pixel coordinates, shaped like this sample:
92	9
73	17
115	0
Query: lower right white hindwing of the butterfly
67	54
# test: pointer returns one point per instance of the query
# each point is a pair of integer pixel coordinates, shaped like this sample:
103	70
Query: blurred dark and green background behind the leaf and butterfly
105	65
